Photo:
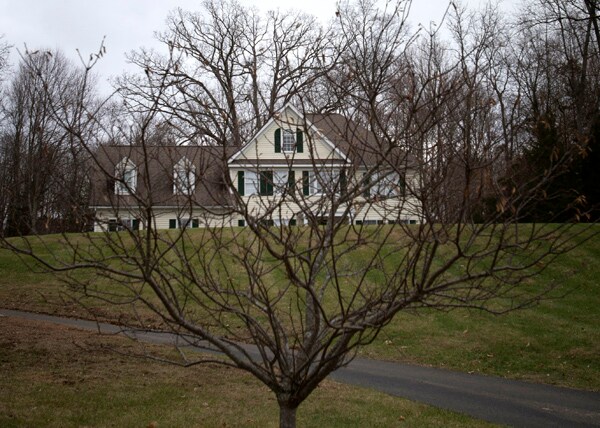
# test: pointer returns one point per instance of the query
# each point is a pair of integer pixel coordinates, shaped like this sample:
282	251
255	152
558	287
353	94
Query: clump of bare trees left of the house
45	185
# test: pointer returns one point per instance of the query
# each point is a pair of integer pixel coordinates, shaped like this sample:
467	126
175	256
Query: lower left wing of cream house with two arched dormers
165	186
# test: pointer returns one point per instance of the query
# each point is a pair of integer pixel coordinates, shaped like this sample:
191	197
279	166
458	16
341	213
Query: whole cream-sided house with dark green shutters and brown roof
297	169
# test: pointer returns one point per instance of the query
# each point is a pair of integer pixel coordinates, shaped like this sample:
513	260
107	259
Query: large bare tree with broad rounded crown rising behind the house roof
227	69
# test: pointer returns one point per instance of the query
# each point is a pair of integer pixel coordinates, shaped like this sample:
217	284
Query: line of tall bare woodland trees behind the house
492	100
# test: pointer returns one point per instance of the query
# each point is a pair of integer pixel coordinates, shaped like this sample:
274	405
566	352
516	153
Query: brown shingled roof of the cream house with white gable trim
155	164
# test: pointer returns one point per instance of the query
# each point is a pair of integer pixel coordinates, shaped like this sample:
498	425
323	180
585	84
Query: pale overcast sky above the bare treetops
130	24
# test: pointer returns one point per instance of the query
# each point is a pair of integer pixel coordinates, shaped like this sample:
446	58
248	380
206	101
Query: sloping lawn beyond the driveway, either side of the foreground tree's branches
555	342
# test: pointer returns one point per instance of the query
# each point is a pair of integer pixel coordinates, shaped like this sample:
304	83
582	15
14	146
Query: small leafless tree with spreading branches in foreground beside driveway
307	259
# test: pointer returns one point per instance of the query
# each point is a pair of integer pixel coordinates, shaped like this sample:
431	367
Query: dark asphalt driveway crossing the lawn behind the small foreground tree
494	399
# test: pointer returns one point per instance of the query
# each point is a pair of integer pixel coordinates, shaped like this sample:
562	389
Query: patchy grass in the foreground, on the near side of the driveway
55	376
